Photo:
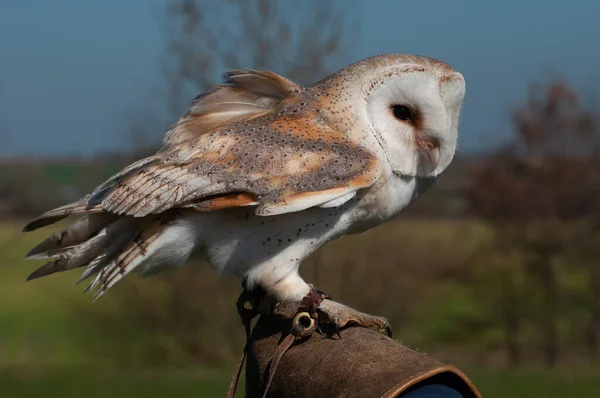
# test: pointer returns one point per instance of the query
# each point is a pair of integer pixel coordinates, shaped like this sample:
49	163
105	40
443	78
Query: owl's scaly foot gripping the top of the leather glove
339	315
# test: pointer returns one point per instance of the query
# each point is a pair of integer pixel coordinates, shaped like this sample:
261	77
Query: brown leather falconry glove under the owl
364	363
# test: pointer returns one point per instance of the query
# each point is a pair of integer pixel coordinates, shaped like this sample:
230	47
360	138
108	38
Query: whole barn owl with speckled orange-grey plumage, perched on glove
261	172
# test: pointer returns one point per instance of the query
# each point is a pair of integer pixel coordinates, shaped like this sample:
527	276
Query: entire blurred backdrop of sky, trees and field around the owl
496	269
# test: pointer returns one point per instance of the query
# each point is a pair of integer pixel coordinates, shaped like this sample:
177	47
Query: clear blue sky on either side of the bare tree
71	70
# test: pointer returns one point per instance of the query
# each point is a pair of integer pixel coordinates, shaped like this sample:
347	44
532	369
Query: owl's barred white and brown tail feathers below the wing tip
111	246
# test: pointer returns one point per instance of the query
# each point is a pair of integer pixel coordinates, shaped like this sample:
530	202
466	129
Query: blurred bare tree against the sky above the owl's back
300	40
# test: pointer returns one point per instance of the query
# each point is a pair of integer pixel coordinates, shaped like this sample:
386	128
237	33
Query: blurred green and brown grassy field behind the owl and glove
178	333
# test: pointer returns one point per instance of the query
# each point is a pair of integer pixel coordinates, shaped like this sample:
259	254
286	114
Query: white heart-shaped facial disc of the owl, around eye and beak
438	105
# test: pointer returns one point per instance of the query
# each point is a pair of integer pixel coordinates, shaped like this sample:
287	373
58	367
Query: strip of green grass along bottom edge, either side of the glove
202	383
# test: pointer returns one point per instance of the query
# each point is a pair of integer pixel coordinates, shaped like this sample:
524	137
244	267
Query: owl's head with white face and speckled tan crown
409	104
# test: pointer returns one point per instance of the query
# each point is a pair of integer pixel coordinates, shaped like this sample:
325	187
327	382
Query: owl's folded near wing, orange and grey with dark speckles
286	159
